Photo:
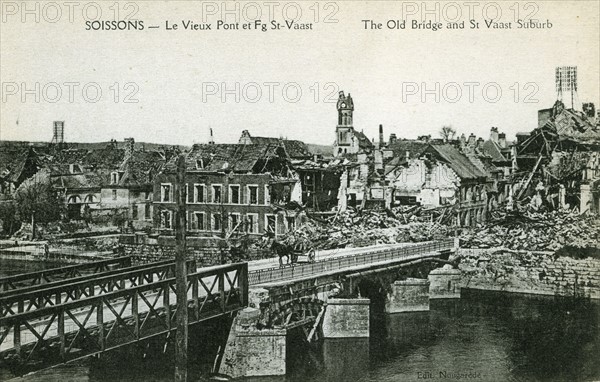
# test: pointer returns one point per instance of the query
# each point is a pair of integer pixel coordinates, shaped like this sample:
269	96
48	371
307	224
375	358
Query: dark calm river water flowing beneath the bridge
485	336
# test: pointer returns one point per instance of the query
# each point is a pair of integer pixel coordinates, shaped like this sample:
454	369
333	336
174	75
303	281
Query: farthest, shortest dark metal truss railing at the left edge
56	274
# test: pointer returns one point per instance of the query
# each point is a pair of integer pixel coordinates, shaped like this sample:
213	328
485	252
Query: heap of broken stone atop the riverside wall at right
534	231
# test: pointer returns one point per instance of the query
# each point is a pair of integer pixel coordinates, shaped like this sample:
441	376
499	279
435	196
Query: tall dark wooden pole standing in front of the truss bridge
181	338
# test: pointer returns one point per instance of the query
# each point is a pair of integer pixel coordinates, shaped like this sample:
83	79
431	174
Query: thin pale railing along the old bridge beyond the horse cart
262	276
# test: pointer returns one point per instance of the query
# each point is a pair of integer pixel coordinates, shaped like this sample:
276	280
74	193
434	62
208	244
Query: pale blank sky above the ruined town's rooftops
172	86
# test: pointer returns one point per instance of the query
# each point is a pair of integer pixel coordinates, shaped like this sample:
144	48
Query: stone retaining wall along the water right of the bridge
531	272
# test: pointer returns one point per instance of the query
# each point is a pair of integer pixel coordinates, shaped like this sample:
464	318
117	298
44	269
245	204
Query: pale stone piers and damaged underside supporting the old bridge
328	307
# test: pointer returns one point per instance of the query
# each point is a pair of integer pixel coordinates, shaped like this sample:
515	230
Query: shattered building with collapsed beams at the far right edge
556	162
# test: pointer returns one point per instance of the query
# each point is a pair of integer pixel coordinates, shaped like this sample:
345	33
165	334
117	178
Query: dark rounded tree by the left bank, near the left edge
37	201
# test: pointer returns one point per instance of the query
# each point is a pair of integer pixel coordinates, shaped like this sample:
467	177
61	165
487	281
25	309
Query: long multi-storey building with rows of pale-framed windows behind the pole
231	189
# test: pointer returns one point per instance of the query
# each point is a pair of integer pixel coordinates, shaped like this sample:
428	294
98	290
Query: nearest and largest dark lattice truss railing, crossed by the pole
77	329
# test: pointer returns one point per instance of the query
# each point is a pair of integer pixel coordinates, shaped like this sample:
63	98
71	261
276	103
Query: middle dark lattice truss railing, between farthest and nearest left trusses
40	296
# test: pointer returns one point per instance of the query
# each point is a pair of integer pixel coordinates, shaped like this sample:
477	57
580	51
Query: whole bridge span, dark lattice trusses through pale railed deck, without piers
60	315
